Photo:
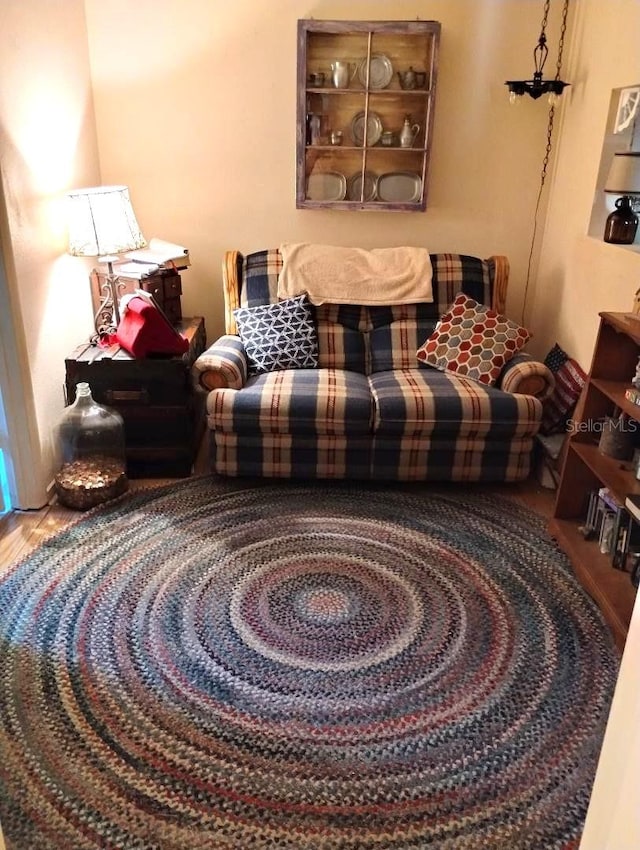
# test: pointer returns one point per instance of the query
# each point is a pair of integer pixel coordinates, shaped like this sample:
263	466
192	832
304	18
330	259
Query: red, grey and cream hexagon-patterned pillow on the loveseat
473	341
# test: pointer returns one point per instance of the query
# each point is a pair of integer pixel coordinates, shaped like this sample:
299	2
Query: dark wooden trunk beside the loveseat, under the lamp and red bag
163	416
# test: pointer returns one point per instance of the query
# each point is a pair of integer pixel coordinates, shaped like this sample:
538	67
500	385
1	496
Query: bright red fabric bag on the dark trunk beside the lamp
143	330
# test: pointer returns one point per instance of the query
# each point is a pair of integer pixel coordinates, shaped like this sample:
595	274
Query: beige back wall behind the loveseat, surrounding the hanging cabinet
195	105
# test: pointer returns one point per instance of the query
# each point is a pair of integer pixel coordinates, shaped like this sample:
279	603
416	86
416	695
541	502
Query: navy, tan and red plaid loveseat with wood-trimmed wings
370	410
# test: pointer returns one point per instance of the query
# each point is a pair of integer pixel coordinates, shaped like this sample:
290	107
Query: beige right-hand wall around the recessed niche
581	275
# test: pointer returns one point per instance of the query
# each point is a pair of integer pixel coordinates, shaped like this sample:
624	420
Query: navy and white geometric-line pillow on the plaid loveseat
278	336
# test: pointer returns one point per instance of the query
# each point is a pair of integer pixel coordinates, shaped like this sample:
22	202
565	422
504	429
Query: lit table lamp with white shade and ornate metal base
102	224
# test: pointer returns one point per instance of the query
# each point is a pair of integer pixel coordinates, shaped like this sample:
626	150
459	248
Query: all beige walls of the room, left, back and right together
195	111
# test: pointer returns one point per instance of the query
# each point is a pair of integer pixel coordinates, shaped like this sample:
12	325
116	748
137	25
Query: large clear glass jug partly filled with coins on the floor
91	447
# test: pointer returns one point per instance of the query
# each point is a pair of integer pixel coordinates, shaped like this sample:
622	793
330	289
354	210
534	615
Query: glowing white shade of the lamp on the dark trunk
102	222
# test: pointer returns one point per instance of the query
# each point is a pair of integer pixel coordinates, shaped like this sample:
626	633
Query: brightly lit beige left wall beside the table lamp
47	145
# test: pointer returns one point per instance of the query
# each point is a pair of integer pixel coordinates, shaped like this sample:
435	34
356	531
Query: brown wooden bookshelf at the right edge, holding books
586	469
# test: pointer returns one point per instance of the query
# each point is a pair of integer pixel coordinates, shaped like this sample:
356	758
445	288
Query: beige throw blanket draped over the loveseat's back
330	274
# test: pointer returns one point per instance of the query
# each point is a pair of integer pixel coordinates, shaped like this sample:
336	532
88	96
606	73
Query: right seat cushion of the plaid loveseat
421	402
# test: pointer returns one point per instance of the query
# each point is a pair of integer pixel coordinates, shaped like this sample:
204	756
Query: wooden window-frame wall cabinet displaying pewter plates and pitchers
387	79
